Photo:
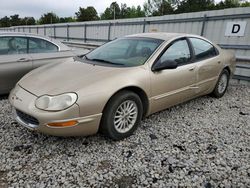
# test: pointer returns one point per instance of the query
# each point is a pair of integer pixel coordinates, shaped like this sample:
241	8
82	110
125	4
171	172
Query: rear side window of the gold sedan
203	49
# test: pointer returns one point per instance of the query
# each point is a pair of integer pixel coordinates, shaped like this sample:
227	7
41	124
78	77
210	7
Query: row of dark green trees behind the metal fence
150	8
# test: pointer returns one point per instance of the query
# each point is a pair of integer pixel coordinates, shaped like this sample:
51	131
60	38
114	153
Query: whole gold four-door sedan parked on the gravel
114	86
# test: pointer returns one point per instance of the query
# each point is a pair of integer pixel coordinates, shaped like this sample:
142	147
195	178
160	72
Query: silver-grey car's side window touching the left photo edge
13	45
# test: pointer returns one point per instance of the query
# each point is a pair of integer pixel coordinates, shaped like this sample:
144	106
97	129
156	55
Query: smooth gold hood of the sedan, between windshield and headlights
70	76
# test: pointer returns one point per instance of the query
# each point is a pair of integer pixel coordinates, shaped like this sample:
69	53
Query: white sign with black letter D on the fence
235	29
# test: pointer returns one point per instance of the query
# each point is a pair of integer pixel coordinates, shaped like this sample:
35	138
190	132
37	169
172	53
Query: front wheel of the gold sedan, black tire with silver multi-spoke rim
118	124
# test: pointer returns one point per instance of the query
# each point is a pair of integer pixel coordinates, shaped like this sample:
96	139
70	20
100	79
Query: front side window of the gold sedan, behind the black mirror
178	51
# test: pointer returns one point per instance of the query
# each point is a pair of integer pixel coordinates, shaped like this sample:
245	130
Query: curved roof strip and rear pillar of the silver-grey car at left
62	47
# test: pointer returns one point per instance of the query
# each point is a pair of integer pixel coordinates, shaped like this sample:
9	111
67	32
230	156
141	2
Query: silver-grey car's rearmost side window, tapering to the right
37	45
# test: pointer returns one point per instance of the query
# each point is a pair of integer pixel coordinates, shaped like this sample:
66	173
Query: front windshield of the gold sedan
126	52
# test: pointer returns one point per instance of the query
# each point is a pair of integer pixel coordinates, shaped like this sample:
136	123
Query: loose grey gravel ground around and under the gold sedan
204	143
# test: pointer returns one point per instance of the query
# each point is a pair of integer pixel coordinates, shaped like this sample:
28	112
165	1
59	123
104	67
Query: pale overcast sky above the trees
63	8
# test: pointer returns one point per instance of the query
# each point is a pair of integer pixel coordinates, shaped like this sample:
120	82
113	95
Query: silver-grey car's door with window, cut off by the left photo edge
14	61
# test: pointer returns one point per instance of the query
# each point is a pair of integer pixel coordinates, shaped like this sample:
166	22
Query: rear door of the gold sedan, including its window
208	64
